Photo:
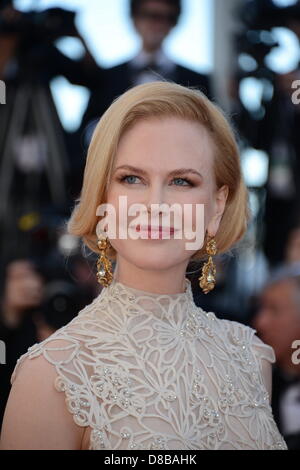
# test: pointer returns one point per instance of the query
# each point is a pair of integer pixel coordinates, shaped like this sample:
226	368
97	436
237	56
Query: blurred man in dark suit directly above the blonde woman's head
153	21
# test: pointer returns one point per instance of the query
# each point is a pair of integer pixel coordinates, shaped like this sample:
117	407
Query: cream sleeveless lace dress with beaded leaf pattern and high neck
151	371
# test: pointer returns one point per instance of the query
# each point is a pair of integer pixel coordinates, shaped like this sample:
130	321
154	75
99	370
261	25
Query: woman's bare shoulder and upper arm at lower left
36	416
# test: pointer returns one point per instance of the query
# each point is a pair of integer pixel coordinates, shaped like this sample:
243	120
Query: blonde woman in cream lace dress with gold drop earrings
142	367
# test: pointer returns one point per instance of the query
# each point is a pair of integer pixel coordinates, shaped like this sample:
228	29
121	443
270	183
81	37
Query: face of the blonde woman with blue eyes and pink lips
164	161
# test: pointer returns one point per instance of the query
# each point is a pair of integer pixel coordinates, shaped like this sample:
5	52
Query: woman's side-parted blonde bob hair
158	100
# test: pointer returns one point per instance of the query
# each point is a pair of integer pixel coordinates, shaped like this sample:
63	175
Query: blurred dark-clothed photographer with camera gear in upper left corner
40	163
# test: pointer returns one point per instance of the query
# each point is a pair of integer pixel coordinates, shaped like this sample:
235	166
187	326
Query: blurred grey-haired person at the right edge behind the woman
277	321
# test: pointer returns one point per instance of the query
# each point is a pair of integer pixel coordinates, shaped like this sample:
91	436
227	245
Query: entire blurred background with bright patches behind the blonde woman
62	62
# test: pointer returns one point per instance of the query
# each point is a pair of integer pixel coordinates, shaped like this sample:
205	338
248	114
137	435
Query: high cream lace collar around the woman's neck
134	301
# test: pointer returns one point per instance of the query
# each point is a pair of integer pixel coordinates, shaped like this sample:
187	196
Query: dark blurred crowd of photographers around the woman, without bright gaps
46	276
